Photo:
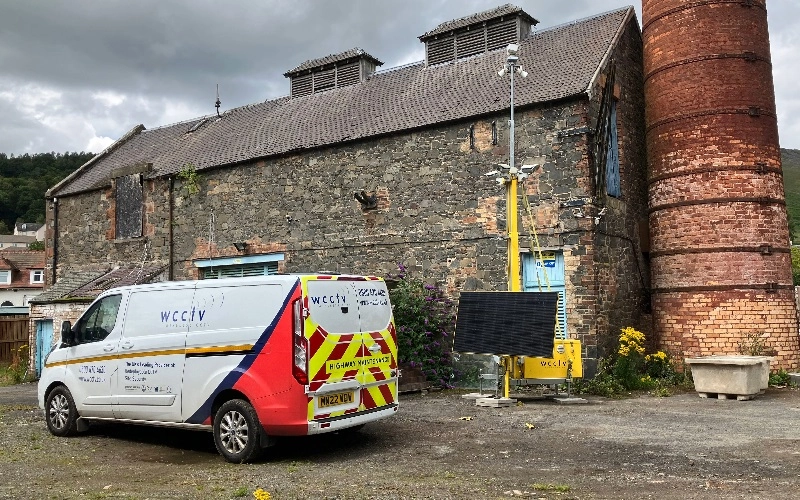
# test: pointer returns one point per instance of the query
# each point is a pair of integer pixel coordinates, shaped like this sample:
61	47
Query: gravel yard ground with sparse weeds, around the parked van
438	446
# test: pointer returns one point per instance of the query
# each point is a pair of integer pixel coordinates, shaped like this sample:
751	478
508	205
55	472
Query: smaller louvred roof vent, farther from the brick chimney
330	72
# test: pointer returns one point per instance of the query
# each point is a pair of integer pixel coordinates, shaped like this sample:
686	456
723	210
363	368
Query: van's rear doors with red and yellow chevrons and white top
352	351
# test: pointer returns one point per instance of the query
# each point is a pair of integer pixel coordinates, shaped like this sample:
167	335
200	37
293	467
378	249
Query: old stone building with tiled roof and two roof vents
360	169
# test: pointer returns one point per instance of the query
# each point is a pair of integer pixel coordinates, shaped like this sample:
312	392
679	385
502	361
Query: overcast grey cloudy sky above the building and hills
76	75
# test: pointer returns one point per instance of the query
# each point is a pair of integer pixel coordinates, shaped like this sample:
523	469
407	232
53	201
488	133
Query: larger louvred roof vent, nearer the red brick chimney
476	34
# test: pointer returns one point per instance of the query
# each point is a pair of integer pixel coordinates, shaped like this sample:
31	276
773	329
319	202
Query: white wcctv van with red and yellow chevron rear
247	358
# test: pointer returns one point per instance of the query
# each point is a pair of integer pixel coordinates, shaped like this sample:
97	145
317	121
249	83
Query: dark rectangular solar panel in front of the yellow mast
506	323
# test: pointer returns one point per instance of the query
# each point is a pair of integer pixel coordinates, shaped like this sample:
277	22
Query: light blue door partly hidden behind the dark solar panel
547	275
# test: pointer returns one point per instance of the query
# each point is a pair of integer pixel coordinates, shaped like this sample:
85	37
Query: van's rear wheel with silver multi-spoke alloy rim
237	431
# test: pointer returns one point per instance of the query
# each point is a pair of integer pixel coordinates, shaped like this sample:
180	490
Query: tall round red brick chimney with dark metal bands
720	261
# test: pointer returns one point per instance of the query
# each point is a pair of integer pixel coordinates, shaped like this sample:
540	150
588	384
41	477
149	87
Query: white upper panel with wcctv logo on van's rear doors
343	306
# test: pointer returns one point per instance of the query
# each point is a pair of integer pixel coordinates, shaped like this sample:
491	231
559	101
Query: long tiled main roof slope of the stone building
561	61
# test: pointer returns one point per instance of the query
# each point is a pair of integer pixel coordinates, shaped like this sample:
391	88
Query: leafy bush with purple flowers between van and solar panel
425	319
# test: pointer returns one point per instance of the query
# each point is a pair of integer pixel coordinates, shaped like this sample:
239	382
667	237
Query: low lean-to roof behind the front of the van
85	286
